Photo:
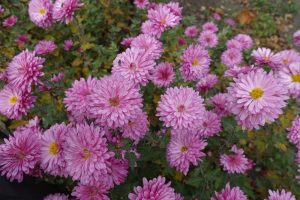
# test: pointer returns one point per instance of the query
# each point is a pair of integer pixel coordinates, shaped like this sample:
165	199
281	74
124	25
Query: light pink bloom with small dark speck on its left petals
134	64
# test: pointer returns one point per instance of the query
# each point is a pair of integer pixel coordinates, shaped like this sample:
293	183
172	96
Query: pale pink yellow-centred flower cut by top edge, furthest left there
40	12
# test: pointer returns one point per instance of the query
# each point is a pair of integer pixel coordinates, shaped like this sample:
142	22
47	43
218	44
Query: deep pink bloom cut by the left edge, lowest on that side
19	154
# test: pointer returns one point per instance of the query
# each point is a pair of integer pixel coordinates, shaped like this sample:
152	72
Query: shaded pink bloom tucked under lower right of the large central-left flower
137	126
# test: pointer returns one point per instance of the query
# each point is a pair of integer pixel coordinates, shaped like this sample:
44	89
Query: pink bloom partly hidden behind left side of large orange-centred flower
77	98
